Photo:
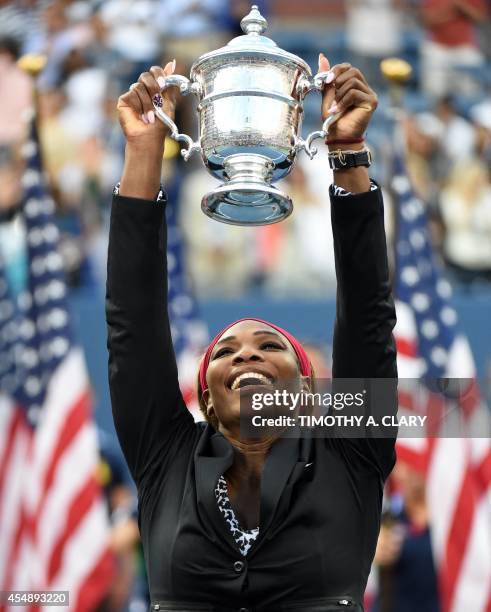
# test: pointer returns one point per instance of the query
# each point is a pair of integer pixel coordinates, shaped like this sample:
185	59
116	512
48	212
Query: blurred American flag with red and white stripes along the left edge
53	522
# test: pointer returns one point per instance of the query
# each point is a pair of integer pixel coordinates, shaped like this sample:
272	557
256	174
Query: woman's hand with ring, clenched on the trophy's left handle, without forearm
136	110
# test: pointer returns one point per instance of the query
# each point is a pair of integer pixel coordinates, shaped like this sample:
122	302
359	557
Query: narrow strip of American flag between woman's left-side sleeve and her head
189	332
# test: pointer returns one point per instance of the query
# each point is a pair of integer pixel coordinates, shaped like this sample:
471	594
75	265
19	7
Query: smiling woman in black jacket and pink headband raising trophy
308	507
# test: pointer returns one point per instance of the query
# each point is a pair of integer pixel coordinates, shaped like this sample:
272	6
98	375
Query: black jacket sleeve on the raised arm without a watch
148	409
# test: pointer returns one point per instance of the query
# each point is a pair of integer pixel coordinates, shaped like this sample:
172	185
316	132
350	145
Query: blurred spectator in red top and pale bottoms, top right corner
450	45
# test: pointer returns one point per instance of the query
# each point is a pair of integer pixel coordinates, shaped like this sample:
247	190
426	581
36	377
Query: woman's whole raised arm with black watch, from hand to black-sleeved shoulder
363	346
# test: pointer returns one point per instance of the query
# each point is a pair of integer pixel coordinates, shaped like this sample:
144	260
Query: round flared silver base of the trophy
247	198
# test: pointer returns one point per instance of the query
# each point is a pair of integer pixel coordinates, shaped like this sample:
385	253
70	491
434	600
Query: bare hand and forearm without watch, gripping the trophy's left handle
145	134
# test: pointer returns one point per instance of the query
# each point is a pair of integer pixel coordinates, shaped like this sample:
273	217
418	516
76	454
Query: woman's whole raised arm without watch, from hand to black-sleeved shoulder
148	408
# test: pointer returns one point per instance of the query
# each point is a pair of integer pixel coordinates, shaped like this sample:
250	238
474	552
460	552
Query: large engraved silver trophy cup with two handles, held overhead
250	95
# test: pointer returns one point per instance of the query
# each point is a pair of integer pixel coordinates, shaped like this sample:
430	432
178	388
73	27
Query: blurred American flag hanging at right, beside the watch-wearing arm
458	470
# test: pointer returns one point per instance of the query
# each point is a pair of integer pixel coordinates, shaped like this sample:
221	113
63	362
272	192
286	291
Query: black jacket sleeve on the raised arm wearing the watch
363	345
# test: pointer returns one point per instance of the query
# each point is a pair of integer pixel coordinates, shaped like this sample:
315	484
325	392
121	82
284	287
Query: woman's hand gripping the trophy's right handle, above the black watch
349	93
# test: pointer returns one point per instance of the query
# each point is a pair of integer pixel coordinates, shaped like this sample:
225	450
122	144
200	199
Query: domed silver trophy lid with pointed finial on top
252	42
